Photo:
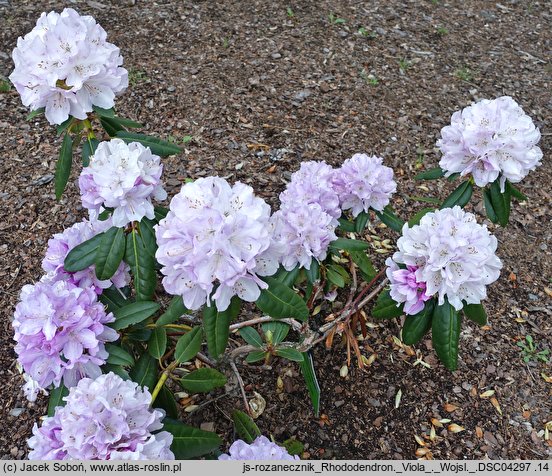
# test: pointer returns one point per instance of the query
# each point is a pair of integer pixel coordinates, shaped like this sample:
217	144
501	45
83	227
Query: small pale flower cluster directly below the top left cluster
124	177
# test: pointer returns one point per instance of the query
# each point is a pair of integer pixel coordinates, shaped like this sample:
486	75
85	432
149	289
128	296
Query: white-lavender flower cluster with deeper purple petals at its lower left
449	255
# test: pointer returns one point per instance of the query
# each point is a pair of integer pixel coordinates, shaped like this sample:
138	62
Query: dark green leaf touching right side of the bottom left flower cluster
189	442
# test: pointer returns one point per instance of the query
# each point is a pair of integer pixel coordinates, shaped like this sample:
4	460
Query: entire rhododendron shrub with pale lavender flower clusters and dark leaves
138	298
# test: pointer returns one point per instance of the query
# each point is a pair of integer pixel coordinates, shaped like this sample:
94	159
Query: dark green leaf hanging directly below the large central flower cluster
216	325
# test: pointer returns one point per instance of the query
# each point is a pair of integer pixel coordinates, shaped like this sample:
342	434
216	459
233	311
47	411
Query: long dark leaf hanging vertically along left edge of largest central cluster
142	266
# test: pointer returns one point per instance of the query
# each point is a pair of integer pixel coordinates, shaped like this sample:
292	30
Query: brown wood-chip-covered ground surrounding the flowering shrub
261	88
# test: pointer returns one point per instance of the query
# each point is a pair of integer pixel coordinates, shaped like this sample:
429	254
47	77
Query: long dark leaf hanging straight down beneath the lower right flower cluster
445	334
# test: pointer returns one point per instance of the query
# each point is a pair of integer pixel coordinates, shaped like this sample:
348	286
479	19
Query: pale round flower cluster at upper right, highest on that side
490	139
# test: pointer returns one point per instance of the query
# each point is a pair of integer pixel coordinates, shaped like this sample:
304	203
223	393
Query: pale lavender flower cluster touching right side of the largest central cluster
304	232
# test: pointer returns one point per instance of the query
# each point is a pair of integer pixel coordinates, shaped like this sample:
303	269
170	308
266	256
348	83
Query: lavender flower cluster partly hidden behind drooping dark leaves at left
62	243
